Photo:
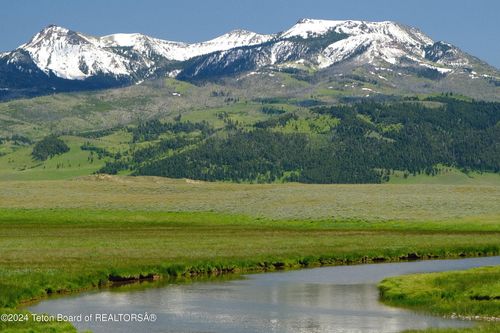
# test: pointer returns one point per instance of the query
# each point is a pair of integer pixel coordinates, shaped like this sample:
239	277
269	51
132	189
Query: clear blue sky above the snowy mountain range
472	25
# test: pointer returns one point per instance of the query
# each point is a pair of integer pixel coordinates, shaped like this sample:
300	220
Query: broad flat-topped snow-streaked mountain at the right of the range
321	44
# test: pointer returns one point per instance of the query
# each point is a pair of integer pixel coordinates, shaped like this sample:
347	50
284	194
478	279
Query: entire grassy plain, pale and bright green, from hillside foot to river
59	236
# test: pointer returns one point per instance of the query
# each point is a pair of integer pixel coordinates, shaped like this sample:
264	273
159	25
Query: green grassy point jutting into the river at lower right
472	294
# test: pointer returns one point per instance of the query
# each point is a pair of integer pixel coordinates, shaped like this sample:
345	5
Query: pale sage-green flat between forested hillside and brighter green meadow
415	202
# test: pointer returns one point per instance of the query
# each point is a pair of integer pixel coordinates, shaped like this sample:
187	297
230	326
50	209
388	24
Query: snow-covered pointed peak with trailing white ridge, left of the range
75	56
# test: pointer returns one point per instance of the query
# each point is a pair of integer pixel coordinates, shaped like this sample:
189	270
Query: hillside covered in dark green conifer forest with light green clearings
352	143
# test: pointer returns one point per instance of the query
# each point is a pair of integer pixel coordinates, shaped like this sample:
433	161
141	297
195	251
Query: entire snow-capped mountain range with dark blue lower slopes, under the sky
59	59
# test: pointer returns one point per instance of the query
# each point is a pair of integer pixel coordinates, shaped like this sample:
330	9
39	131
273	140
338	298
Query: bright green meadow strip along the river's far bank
47	251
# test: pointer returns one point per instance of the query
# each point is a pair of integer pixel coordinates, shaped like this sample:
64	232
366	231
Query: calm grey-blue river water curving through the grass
328	299
